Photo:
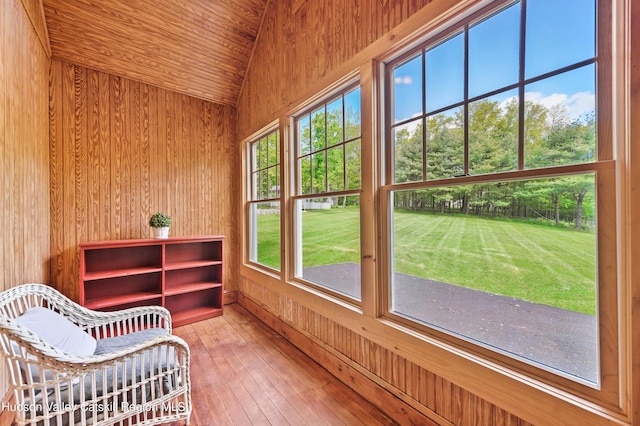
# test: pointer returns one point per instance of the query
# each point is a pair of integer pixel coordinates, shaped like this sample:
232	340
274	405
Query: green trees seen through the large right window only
433	148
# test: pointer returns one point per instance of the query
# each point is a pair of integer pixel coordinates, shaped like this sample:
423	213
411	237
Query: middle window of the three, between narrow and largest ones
327	200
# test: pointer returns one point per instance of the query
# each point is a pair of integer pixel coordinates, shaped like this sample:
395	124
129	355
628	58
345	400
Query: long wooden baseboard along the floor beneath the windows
388	399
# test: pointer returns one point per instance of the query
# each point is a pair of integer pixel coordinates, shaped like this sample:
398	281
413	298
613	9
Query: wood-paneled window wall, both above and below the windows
303	48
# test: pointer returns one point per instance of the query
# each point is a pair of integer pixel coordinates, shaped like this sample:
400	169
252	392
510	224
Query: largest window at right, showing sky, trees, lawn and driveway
493	159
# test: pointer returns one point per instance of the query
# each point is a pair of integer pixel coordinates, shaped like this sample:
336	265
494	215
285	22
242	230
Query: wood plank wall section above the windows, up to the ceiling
315	37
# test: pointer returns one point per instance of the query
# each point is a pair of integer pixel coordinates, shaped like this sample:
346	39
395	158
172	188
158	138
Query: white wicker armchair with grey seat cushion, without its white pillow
145	383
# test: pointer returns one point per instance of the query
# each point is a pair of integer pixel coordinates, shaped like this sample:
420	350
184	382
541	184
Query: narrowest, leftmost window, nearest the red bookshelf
264	200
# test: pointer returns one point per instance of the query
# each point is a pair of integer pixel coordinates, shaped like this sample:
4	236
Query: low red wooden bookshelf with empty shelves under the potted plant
185	275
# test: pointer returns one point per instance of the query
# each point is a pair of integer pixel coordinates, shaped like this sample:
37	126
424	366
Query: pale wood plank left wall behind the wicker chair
24	152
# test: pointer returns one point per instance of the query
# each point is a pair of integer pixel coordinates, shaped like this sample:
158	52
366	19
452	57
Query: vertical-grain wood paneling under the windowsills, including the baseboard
407	392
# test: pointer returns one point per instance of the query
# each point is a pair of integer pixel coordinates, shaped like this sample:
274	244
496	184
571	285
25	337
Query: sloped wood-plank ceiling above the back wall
197	47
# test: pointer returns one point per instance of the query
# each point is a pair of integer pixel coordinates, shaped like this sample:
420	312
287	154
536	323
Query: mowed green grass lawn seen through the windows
537	263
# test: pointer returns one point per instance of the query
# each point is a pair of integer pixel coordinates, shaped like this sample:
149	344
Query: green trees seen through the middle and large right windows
433	147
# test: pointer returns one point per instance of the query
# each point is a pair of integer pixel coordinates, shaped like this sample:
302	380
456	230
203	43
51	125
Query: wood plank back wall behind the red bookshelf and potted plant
122	150
